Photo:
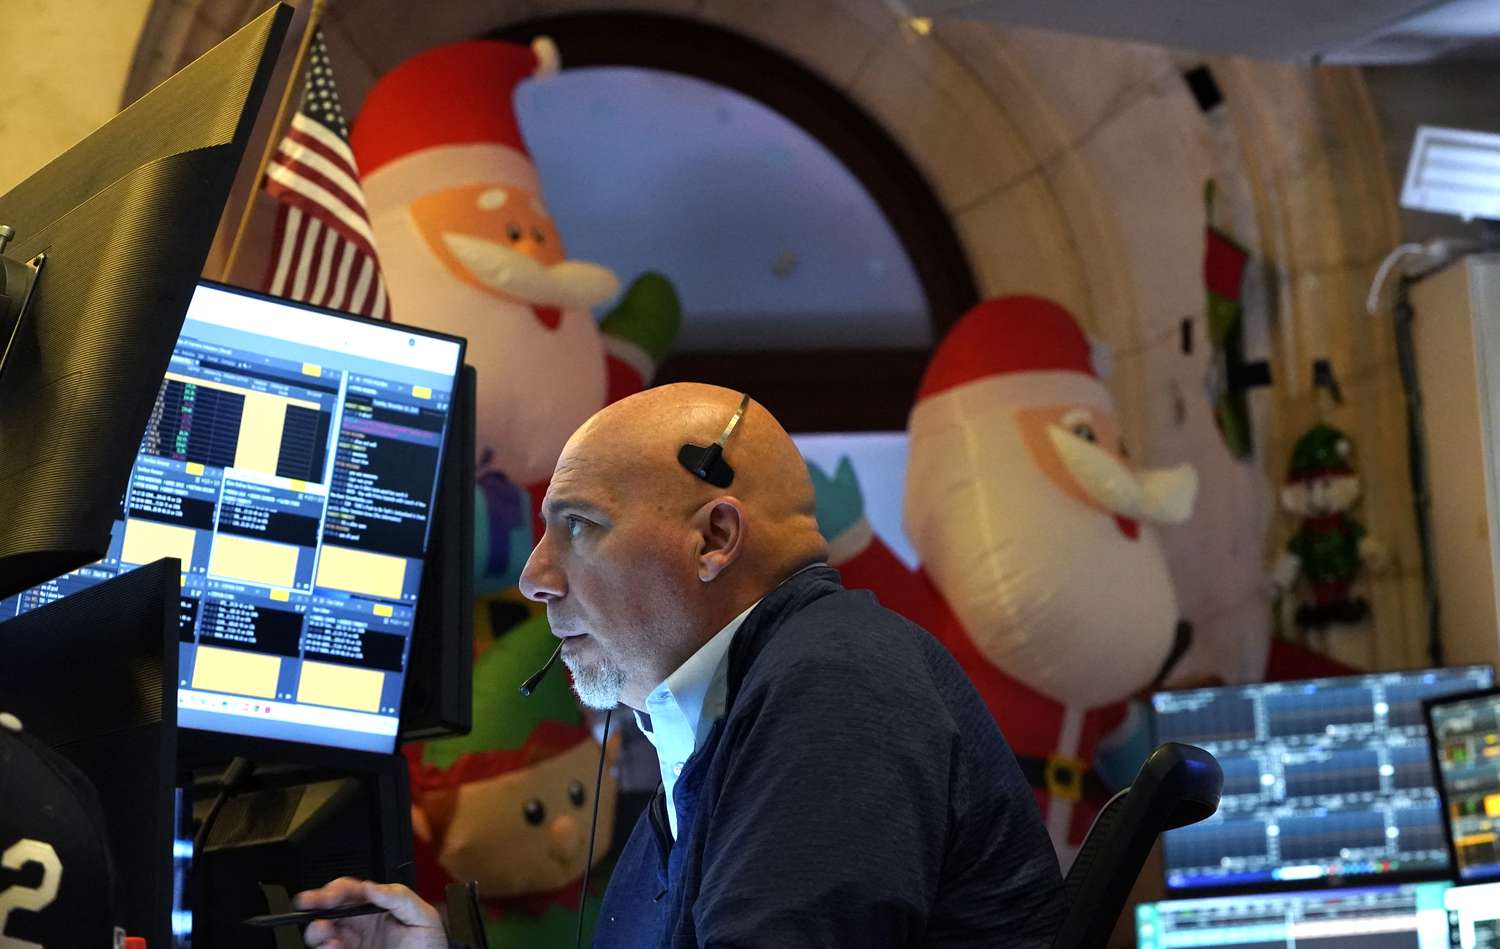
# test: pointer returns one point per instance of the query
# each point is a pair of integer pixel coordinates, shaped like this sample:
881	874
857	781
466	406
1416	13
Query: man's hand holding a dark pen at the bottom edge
407	923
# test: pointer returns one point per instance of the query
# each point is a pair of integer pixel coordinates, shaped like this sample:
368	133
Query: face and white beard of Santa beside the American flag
484	262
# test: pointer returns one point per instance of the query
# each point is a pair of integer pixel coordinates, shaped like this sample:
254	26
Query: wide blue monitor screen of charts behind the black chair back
1324	779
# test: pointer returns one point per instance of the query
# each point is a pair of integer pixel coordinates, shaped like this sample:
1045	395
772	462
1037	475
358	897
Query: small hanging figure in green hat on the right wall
1330	546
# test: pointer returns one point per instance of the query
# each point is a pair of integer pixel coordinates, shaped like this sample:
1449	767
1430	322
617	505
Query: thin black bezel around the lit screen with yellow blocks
202	747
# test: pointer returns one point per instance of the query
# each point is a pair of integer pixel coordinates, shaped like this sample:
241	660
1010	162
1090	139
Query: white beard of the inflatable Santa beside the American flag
536	386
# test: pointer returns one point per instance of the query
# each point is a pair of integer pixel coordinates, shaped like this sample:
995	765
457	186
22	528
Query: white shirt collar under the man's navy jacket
685	708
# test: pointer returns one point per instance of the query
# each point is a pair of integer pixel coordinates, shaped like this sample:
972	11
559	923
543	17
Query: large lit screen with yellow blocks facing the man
290	464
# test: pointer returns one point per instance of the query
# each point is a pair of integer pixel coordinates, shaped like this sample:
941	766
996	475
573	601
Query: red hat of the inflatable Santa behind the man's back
1001	340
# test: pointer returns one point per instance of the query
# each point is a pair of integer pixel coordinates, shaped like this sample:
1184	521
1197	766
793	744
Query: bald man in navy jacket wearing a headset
829	774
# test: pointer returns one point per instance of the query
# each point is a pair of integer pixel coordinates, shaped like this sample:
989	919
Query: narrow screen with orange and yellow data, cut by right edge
1466	735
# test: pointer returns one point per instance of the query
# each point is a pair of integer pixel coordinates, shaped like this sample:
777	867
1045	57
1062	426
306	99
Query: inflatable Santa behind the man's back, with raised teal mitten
1040	567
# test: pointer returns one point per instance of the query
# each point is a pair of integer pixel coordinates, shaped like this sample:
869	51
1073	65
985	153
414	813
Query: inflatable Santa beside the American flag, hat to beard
467	247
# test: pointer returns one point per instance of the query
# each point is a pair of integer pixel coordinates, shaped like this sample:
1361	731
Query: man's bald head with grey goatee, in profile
643	561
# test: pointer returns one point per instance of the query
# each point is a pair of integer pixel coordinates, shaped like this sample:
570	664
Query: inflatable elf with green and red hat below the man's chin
509	804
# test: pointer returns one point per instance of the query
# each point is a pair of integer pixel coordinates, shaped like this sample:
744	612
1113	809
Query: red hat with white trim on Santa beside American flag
452	106
